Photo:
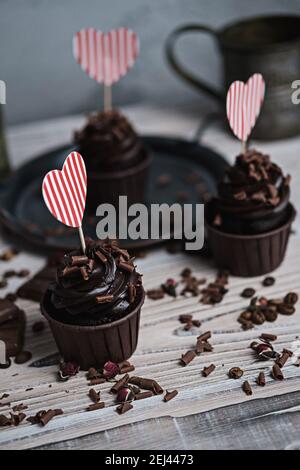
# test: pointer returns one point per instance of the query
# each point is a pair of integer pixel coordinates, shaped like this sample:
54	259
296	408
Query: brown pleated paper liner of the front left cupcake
92	346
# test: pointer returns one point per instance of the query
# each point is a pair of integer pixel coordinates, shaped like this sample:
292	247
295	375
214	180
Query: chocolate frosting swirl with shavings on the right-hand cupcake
253	189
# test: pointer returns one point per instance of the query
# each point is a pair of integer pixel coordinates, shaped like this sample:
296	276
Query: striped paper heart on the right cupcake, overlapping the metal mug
243	104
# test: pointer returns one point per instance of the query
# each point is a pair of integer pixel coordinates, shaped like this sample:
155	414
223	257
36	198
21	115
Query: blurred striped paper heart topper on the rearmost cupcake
105	57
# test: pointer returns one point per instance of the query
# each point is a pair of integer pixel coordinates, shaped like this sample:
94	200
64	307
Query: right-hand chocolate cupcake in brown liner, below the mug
249	222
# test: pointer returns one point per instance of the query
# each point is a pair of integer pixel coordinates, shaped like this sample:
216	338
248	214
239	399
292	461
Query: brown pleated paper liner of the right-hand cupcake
250	255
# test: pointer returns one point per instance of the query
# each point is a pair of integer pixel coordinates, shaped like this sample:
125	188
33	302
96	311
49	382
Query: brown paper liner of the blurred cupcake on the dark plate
107	187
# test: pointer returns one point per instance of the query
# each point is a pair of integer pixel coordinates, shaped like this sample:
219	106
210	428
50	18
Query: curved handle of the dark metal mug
179	69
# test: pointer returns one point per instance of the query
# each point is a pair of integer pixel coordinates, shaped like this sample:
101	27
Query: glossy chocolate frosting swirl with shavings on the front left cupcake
103	282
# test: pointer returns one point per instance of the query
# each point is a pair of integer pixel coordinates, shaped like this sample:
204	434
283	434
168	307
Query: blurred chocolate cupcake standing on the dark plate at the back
116	159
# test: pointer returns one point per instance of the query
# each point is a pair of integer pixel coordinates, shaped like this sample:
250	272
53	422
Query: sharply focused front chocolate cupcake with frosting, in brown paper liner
94	306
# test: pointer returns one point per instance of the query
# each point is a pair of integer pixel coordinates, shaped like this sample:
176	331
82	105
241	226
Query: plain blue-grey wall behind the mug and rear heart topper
44	81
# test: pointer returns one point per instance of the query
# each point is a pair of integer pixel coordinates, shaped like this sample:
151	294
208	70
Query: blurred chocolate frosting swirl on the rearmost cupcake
108	141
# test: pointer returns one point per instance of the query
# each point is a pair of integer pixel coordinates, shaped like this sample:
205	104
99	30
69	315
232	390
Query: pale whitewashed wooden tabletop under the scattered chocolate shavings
159	349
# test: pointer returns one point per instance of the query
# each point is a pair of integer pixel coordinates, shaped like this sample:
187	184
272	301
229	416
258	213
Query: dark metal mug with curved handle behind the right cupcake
269	45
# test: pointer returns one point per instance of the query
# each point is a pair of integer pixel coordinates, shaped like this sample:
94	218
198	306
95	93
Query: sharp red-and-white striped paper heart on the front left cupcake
64	191
